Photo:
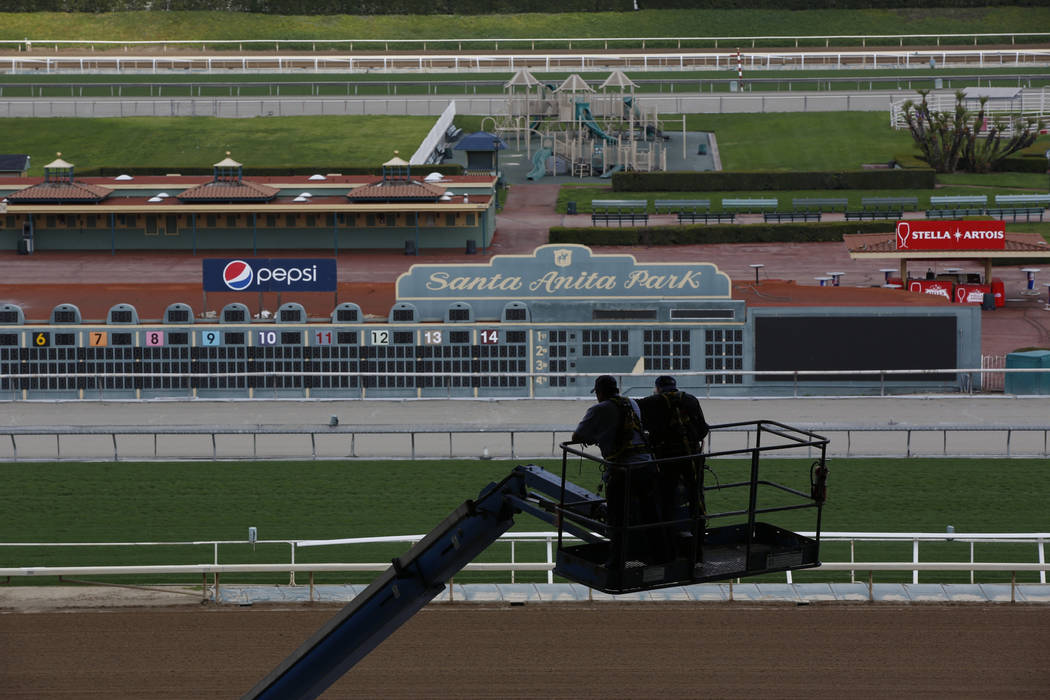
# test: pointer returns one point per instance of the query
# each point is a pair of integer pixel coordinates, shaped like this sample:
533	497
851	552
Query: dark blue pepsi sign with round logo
269	275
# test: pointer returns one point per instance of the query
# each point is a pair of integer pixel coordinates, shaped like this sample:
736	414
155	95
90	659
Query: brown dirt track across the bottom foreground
547	651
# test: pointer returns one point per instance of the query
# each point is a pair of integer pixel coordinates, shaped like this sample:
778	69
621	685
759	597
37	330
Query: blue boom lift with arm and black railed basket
744	546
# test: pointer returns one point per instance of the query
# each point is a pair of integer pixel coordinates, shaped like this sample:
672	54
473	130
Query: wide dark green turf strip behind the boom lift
193	501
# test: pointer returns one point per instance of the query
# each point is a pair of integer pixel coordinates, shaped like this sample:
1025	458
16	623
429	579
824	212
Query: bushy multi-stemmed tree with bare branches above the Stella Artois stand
964	140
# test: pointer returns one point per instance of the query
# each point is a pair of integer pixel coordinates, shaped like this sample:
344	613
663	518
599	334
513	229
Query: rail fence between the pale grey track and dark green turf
473	441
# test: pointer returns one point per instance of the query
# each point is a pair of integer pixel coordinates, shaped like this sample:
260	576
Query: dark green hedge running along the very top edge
474	7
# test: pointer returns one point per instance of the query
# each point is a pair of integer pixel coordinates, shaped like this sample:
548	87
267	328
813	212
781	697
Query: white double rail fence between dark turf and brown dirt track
545	542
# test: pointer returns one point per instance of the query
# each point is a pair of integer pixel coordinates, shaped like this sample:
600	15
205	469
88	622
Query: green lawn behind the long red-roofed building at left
167	143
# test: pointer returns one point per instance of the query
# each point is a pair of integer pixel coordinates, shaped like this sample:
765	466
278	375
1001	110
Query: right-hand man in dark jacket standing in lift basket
677	429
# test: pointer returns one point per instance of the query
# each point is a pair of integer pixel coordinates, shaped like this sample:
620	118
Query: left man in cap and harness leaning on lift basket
615	425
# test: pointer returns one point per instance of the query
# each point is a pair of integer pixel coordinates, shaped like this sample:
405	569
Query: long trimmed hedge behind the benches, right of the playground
738	182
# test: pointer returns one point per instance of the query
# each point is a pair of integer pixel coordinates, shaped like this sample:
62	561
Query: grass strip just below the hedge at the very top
191	26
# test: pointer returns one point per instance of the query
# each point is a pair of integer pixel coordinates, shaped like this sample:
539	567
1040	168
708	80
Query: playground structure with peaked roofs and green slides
582	133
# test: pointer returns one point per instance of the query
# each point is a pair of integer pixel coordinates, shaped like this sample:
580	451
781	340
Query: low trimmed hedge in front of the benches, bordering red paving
715	234
